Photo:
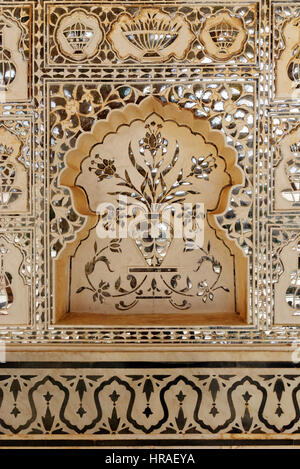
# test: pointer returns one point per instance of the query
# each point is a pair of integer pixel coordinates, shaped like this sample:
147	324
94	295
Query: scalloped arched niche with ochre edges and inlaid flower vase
151	153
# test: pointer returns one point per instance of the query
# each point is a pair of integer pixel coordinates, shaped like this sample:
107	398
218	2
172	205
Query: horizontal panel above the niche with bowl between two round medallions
194	34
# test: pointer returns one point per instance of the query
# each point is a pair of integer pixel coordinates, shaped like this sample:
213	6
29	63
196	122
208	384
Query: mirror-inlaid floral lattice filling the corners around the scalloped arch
94	104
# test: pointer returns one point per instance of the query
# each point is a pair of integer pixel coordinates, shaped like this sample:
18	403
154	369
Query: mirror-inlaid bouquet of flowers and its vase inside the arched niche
153	191
